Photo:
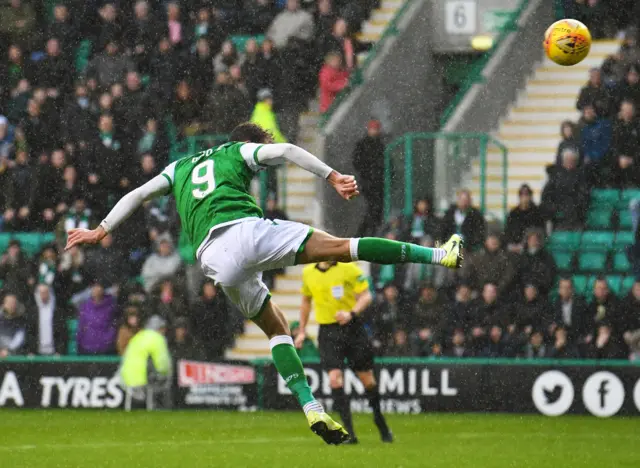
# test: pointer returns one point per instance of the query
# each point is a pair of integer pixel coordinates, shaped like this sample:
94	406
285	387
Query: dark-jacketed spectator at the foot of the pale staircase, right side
523	217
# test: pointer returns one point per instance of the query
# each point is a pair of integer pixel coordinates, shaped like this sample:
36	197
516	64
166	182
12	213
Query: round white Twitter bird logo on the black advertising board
552	393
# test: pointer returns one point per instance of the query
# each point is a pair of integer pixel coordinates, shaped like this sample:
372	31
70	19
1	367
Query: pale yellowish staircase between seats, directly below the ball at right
531	130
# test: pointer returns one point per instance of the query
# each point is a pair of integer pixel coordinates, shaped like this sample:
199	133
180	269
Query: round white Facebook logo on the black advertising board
603	394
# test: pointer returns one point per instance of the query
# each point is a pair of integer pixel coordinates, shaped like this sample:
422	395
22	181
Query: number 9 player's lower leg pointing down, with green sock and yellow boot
273	322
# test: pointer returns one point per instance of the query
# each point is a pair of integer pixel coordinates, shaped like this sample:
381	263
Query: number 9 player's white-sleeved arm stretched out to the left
156	187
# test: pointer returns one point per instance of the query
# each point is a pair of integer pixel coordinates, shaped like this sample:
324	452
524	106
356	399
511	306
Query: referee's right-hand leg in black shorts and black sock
360	355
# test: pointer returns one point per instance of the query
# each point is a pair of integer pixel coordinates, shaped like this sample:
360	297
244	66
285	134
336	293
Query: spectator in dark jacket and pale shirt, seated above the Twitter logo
570	311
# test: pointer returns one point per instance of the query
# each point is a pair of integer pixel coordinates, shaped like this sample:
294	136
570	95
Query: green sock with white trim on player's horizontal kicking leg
385	251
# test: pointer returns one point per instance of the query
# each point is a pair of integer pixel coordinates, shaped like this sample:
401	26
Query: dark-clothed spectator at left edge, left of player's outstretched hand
17	195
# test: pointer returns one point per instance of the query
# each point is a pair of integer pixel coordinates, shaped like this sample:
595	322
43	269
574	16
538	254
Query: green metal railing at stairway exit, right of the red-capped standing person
459	149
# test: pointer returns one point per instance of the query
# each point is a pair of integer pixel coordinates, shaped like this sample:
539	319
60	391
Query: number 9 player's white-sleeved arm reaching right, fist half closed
278	153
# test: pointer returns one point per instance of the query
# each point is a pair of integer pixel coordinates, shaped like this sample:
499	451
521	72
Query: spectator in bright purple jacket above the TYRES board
97	322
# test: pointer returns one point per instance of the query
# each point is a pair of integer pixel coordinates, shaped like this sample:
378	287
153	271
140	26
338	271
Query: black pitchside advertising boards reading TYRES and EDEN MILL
407	385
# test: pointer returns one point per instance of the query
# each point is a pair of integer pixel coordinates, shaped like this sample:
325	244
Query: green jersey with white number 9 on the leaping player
212	188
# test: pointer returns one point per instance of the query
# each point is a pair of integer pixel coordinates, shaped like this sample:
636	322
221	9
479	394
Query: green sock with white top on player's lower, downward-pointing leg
291	370
